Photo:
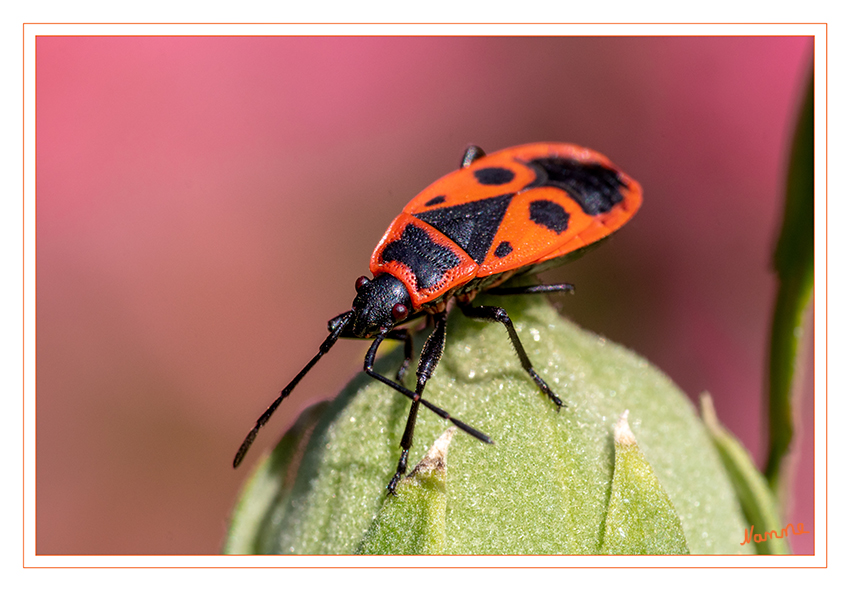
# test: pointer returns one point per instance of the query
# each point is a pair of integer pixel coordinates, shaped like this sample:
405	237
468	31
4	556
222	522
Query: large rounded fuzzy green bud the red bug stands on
544	487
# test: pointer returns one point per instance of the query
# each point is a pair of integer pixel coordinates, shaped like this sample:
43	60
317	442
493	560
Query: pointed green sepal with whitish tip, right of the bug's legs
641	519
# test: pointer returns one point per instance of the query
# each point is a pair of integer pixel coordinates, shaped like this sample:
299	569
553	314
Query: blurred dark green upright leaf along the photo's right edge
794	264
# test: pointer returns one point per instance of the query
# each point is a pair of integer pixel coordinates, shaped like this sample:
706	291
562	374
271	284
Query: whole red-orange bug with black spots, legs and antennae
517	211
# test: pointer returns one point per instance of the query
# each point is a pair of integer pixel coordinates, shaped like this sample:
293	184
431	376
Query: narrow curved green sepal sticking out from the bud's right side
757	500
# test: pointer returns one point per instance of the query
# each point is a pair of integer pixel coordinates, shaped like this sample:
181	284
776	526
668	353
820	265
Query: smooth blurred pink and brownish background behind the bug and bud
204	206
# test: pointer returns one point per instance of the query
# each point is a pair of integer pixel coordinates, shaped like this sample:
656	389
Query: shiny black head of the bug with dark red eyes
381	303
